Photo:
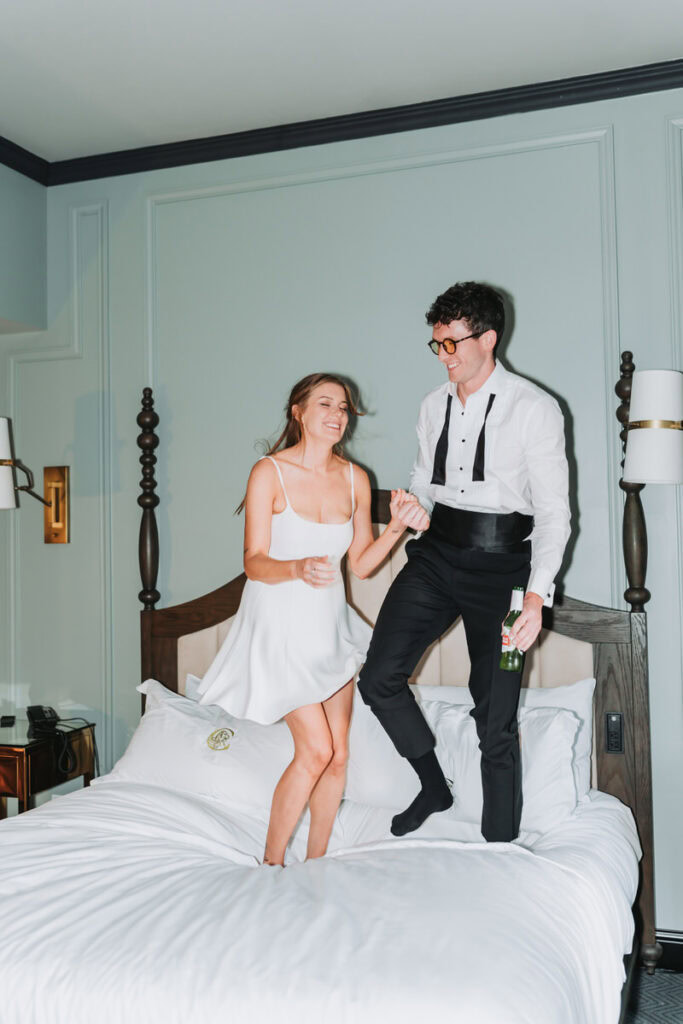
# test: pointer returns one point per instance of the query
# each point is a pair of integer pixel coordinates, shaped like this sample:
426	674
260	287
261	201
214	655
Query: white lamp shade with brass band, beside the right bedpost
655	454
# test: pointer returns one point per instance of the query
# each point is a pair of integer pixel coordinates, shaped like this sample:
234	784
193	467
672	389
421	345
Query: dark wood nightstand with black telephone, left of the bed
31	766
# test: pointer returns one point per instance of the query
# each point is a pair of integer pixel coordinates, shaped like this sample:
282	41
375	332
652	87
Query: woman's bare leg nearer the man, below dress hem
327	795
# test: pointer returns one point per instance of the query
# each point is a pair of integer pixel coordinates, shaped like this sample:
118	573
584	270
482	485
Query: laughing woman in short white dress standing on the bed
295	645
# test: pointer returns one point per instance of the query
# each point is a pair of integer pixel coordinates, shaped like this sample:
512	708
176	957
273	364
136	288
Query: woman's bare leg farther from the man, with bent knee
313	751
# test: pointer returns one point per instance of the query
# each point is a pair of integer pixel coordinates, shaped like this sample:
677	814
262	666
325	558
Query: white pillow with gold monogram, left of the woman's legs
170	749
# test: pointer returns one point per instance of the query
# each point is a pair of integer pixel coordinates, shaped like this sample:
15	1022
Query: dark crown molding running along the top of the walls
566	93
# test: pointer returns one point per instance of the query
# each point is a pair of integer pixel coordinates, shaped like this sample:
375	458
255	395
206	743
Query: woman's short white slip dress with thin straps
290	645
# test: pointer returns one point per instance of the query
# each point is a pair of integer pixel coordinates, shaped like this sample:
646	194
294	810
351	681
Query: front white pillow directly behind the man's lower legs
547	737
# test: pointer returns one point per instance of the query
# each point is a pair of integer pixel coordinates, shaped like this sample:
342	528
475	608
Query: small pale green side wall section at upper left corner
23	250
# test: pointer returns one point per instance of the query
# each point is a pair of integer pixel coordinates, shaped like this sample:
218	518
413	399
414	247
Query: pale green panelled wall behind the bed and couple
222	284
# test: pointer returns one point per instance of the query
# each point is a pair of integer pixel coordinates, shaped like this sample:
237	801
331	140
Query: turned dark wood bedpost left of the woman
148	500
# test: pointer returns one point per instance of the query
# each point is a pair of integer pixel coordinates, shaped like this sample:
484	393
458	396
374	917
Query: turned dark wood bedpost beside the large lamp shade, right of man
635	533
